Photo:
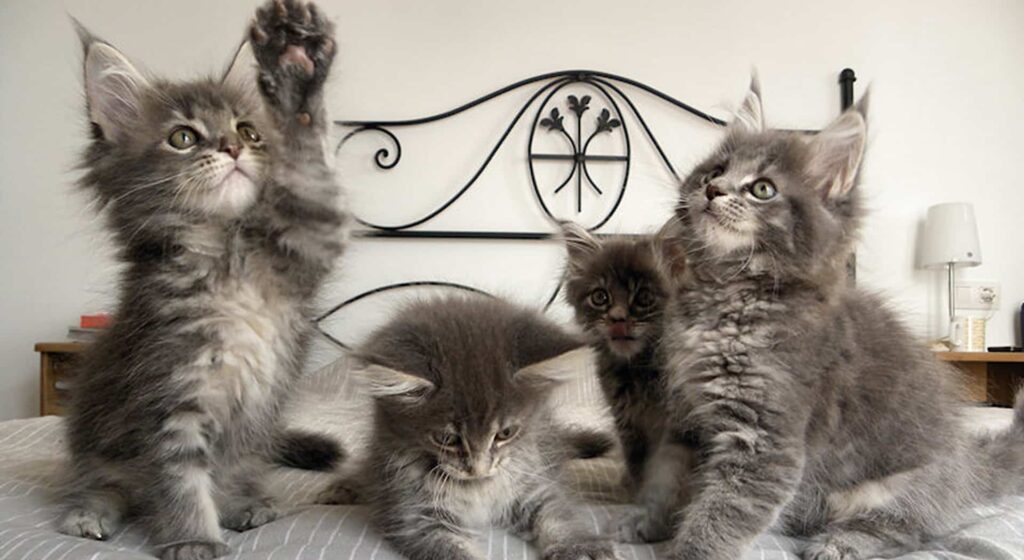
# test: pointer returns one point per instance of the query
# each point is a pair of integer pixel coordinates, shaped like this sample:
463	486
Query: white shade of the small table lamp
951	237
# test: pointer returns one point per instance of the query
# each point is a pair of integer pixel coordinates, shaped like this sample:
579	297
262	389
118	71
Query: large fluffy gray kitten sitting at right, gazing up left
805	403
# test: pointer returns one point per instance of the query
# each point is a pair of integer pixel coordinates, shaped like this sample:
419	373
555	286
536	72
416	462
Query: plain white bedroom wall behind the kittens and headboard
946	126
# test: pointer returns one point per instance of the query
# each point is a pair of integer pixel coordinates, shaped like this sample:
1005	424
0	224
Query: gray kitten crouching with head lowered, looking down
463	437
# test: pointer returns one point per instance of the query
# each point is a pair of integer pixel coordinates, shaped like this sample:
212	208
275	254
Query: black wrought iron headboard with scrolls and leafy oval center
551	120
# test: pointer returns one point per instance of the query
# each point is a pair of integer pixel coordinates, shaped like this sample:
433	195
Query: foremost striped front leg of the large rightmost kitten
747	471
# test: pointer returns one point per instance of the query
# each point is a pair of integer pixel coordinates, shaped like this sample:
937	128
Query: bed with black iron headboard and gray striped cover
579	120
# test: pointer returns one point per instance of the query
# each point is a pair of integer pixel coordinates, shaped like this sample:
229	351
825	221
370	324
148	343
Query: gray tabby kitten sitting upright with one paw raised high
229	220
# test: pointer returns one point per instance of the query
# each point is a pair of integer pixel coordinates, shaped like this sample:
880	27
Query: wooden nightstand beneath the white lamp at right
993	377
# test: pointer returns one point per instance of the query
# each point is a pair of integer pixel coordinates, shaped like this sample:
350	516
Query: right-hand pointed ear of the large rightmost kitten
838	151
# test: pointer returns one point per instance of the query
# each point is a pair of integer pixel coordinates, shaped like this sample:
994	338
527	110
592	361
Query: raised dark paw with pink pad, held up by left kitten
294	47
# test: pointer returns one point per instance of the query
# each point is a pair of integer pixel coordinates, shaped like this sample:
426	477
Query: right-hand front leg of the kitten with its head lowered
561	530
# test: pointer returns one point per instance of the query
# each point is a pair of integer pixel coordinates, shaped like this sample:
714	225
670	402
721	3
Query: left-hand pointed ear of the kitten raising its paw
114	88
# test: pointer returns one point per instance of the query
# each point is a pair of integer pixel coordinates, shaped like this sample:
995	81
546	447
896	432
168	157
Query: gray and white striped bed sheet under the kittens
32	456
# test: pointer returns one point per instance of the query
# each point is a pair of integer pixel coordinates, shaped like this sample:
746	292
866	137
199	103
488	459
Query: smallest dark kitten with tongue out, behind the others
619	289
